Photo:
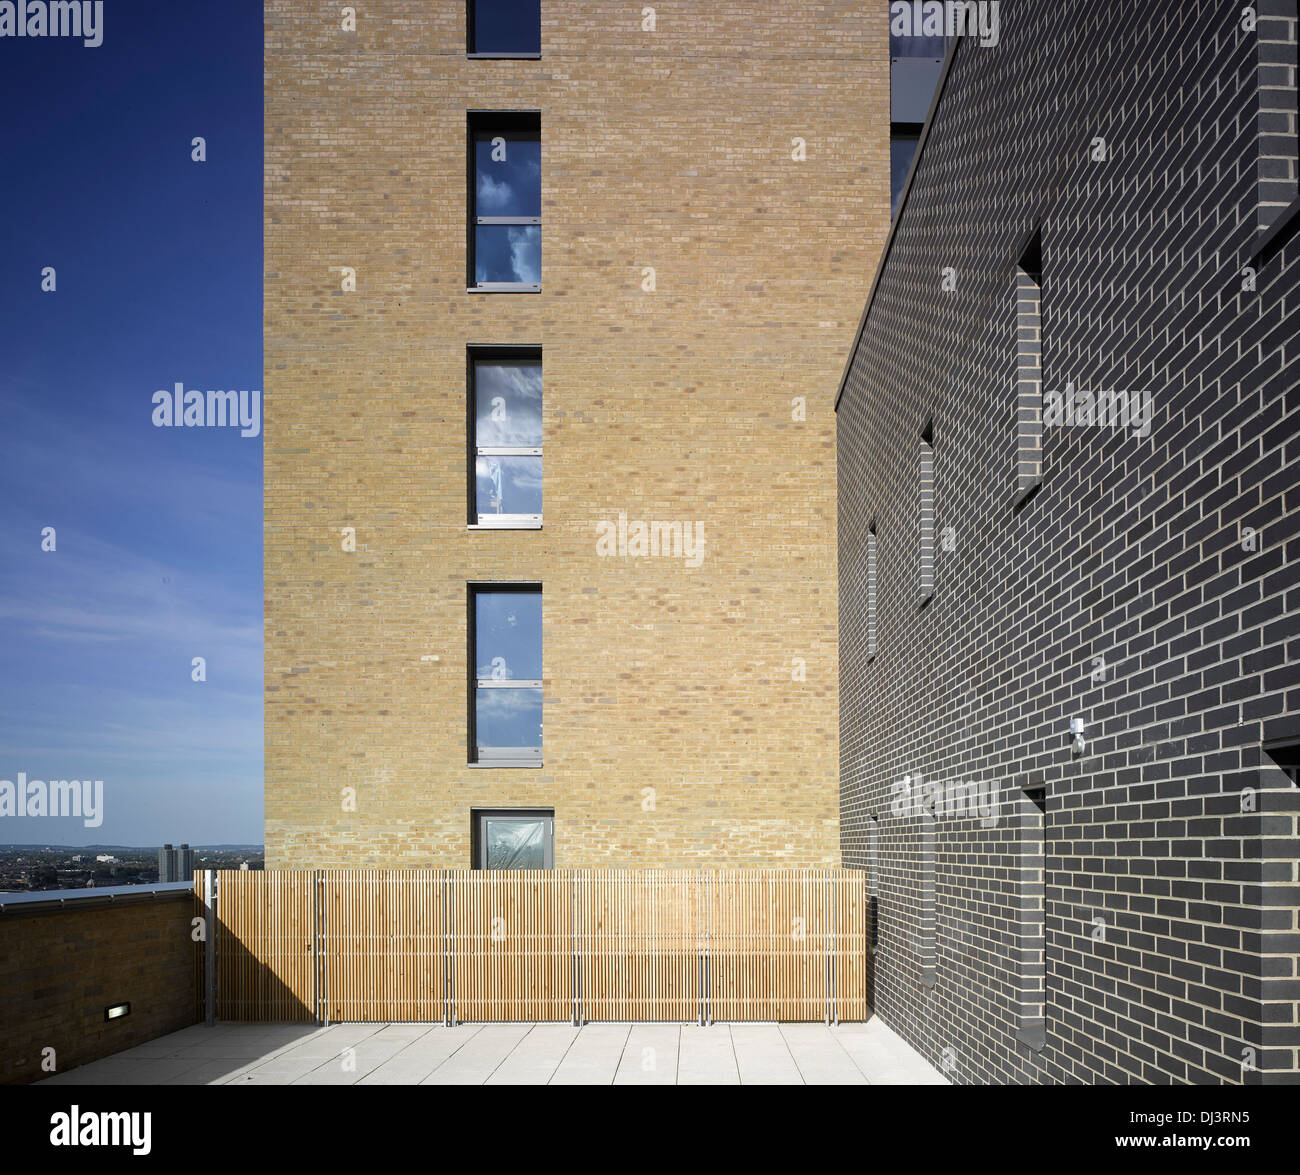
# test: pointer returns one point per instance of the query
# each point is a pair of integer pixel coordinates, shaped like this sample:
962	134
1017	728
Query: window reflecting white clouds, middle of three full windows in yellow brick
506	437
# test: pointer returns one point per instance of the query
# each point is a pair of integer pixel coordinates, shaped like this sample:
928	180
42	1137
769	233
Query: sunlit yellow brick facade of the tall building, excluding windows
669	150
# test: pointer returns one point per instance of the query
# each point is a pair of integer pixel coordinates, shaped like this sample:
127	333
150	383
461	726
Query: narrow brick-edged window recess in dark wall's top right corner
1279	127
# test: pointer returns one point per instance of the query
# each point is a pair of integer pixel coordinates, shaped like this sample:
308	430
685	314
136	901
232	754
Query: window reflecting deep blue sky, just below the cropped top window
506	202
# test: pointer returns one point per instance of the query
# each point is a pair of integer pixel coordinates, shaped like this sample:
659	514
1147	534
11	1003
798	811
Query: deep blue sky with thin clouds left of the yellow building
158	561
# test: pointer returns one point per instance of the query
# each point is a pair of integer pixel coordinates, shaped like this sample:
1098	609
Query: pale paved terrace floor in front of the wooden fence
517	1055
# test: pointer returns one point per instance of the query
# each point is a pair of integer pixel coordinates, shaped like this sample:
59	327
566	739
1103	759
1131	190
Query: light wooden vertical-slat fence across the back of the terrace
570	946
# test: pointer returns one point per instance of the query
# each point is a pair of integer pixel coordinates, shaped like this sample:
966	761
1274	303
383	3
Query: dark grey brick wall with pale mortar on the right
1142	925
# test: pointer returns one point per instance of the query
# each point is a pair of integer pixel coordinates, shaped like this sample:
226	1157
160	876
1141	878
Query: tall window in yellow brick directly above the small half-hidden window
506	675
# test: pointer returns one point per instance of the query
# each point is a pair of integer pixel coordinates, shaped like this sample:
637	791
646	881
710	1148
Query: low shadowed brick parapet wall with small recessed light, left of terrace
62	966
